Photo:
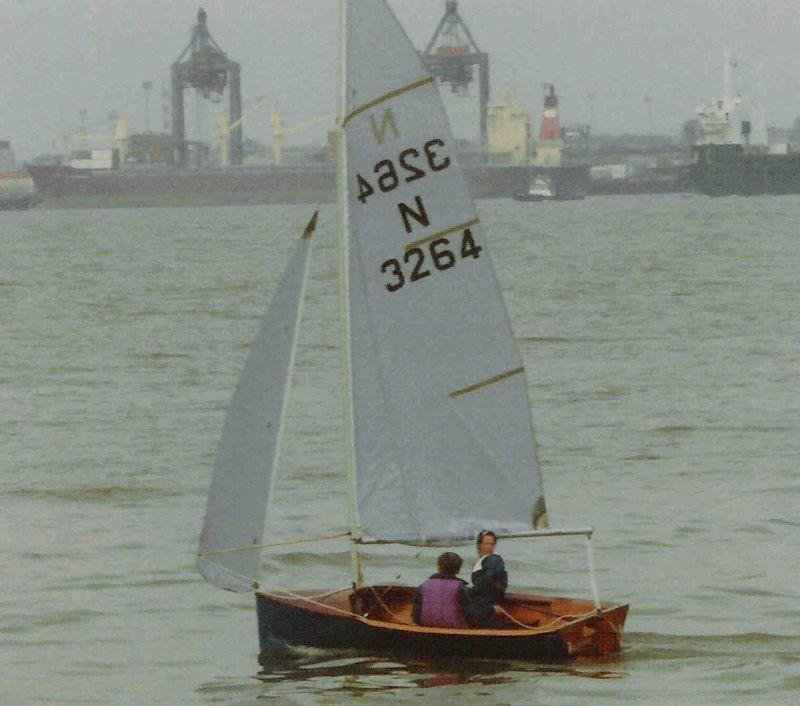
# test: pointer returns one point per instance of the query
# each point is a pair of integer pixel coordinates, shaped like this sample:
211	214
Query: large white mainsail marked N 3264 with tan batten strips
442	427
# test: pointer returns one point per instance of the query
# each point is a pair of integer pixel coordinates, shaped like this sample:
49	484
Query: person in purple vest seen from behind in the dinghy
443	600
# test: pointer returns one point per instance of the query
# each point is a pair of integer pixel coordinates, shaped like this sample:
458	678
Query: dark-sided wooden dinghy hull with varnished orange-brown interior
378	619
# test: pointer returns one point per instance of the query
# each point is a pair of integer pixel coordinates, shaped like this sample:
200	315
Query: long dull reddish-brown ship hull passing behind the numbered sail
65	187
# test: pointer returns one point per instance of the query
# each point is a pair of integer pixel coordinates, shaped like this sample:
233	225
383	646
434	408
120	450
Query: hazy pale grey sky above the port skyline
59	57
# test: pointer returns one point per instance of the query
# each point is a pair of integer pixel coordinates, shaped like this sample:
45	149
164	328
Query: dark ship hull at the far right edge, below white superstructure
727	170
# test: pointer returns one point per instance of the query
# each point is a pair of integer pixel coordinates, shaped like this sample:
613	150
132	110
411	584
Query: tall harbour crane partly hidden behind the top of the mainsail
453	60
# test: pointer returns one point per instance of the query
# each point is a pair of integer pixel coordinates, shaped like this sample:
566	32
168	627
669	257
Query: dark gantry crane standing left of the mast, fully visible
209	70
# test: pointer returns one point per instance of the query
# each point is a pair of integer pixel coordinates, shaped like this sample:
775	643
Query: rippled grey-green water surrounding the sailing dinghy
660	339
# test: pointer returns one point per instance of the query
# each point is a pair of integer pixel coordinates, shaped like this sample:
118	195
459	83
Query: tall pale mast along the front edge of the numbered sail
344	307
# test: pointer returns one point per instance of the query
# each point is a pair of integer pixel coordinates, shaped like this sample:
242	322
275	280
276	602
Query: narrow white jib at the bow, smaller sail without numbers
241	483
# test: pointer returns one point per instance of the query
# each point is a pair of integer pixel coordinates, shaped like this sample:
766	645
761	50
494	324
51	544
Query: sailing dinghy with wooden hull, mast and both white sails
438	425
